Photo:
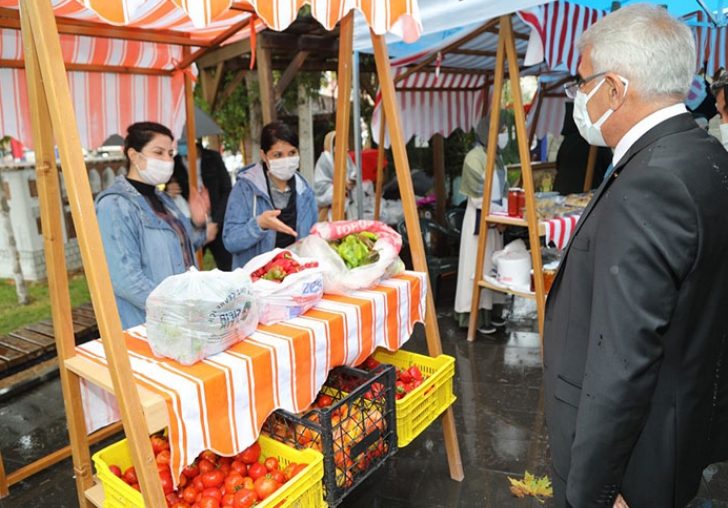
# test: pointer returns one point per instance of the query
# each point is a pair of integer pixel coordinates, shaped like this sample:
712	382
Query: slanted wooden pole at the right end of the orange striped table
404	178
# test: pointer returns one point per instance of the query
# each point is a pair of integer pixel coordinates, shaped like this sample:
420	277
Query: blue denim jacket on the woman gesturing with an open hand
241	233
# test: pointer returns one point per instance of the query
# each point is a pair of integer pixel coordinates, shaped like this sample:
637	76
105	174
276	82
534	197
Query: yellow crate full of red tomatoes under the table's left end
266	474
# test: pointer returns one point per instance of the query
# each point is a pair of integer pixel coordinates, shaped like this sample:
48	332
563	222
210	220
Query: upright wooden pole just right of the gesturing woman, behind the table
343	114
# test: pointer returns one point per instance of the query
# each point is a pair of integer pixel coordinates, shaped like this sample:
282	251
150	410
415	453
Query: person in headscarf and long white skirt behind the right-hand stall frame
471	185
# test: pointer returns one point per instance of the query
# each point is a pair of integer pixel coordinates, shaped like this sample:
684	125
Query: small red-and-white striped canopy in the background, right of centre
431	104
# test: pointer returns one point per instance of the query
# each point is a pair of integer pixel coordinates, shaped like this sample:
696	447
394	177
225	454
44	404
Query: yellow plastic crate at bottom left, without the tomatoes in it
305	490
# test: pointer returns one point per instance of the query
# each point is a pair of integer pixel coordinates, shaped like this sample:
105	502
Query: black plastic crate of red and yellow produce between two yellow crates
355	434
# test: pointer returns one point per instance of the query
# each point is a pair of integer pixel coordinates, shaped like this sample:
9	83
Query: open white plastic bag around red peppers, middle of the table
294	295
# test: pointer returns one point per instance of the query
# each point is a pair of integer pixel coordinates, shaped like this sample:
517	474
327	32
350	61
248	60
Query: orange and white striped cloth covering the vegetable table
221	402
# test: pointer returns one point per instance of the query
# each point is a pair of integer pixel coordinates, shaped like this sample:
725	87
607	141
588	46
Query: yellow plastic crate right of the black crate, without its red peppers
424	404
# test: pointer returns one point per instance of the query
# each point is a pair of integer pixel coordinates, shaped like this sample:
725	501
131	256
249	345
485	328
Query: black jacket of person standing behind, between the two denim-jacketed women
215	178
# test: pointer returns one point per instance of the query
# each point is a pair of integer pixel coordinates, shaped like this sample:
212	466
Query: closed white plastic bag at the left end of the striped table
194	315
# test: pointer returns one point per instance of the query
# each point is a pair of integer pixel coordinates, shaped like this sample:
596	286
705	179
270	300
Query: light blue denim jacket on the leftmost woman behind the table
141	249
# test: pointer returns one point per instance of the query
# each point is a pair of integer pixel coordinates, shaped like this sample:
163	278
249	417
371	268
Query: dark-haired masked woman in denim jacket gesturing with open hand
271	204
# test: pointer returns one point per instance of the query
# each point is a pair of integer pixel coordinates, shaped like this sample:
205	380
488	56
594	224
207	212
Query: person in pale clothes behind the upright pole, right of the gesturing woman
323	179
